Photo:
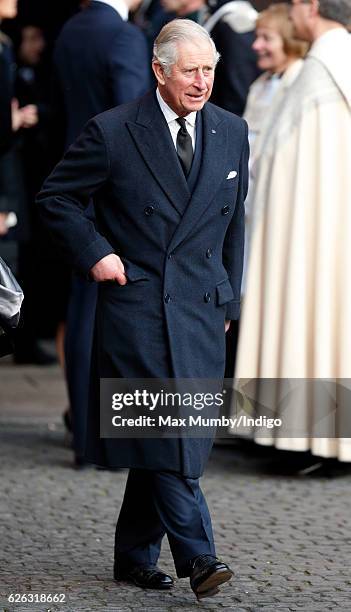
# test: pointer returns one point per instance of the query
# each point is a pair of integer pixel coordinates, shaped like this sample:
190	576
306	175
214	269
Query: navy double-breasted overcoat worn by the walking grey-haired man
168	320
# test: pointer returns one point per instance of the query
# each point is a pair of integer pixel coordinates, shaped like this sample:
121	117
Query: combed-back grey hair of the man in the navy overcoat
174	32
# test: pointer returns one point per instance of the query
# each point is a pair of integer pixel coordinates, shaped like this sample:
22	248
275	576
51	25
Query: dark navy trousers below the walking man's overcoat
159	503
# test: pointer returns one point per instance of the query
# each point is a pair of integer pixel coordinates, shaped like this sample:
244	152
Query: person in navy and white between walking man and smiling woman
232	27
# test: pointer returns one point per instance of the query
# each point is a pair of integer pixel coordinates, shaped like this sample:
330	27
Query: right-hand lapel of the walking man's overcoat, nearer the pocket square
211	174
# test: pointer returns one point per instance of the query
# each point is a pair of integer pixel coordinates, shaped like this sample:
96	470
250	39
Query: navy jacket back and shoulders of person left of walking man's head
100	61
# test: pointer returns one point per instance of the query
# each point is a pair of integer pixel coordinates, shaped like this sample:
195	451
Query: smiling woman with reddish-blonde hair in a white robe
280	54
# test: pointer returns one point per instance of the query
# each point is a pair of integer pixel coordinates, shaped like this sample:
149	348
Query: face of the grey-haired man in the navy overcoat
190	82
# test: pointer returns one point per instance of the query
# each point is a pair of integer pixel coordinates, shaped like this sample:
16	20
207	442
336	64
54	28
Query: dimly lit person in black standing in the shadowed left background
32	90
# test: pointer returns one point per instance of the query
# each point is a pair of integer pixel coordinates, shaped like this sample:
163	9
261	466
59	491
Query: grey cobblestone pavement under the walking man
287	537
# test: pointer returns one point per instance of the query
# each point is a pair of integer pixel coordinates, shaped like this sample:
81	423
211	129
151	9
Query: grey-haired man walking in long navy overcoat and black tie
169	177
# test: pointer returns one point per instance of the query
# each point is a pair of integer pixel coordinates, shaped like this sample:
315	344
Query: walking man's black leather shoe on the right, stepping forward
207	574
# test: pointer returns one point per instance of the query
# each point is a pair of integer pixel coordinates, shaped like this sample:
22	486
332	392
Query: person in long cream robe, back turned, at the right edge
294	353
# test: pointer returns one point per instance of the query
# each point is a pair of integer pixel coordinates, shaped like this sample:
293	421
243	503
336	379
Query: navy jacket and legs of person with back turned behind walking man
100	62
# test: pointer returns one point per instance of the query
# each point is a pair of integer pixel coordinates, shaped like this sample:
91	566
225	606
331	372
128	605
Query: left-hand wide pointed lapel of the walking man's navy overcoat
152	137
